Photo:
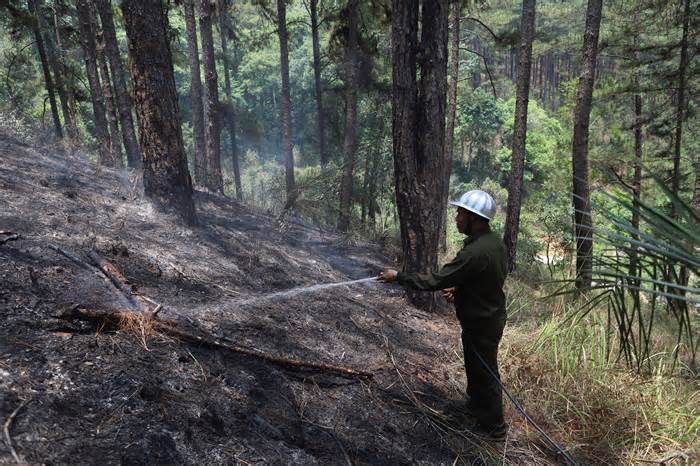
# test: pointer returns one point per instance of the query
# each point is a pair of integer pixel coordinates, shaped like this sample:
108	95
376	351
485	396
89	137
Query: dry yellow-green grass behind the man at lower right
599	410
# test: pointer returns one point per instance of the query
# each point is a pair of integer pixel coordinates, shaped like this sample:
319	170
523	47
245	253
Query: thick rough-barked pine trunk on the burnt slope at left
165	177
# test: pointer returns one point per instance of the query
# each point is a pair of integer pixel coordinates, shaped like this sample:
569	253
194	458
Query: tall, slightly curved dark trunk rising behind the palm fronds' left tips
583	222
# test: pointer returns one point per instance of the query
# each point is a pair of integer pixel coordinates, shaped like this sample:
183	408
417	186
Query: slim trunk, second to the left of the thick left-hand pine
87	42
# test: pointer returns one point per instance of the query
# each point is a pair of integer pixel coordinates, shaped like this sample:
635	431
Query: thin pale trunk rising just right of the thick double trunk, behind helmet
451	114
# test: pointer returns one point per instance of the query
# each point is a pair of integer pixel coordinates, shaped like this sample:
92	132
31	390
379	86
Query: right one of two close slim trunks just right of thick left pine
214	180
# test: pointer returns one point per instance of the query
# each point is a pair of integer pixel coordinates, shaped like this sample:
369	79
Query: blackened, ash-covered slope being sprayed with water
111	397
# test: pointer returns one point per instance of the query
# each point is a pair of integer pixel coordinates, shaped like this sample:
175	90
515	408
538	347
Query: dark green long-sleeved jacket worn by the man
478	273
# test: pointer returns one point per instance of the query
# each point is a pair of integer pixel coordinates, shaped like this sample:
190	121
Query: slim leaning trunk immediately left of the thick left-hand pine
116	69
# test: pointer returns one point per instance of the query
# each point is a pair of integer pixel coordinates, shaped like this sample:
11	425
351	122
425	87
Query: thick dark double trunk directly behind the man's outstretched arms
418	155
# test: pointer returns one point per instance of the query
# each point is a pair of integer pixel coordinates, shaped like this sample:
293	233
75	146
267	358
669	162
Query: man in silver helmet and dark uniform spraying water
474	281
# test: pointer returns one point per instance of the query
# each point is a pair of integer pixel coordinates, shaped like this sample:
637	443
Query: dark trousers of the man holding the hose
485	398
